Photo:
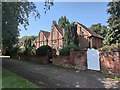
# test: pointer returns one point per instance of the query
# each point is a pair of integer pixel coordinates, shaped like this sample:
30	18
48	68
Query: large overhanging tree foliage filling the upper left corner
13	15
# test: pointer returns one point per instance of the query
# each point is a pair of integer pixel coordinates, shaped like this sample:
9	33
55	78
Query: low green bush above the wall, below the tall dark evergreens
66	50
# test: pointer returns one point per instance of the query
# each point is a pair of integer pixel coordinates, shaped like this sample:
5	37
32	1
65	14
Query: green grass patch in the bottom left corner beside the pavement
11	80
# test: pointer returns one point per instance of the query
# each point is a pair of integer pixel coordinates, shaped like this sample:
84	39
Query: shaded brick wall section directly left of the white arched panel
77	59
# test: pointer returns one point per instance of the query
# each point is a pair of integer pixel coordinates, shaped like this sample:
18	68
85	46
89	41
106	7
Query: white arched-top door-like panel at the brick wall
93	59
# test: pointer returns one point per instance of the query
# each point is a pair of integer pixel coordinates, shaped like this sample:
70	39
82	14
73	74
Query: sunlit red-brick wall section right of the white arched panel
110	62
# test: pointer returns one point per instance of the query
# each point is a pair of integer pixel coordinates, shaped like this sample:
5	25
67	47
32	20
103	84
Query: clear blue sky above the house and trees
86	13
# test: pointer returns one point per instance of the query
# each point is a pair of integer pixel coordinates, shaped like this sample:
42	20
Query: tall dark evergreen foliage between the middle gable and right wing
70	36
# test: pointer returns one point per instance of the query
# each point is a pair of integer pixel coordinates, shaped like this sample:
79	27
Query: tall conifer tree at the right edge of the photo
113	35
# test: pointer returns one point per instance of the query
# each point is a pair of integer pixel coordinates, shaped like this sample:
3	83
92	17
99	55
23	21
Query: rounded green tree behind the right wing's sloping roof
99	29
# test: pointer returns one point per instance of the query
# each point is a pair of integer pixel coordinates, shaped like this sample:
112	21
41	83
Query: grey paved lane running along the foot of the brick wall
47	76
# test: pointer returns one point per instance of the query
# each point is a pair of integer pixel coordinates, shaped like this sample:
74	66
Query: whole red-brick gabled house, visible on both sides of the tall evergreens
87	38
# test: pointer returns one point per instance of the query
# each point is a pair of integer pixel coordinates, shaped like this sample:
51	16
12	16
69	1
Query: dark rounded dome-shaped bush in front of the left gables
43	50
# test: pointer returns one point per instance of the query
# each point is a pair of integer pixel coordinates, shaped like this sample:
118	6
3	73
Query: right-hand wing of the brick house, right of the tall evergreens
87	37
